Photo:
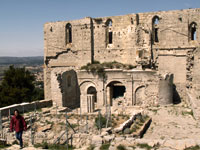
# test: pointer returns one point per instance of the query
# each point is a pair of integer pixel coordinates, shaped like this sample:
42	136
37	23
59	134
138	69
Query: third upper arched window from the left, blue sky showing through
155	32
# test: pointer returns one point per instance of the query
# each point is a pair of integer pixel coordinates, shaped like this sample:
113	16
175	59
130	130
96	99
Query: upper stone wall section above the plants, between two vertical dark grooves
128	39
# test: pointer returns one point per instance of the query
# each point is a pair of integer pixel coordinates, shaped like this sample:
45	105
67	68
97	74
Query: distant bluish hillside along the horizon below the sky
38	60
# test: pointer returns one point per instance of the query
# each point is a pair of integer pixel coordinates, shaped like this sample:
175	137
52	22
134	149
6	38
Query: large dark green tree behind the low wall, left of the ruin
19	85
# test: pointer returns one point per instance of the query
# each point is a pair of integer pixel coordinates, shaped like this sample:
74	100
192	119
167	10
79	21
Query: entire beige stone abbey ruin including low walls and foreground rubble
114	83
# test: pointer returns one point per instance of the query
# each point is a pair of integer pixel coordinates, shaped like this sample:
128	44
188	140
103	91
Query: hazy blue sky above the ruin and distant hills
21	21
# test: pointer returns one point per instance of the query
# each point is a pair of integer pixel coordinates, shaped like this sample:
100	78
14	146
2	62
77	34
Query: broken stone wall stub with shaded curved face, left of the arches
64	87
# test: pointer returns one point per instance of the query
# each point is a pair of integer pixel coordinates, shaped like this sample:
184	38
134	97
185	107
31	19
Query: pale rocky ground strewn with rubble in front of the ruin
172	128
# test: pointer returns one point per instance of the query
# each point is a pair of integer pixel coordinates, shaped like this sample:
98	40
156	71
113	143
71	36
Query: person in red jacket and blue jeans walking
19	125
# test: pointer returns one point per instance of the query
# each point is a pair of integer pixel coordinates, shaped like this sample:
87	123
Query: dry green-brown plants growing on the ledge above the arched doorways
98	68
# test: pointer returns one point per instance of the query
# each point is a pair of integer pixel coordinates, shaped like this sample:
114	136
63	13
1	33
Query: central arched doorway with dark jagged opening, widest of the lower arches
114	89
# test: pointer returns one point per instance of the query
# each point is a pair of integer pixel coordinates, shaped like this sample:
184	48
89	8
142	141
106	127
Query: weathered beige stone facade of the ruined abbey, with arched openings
158	42
